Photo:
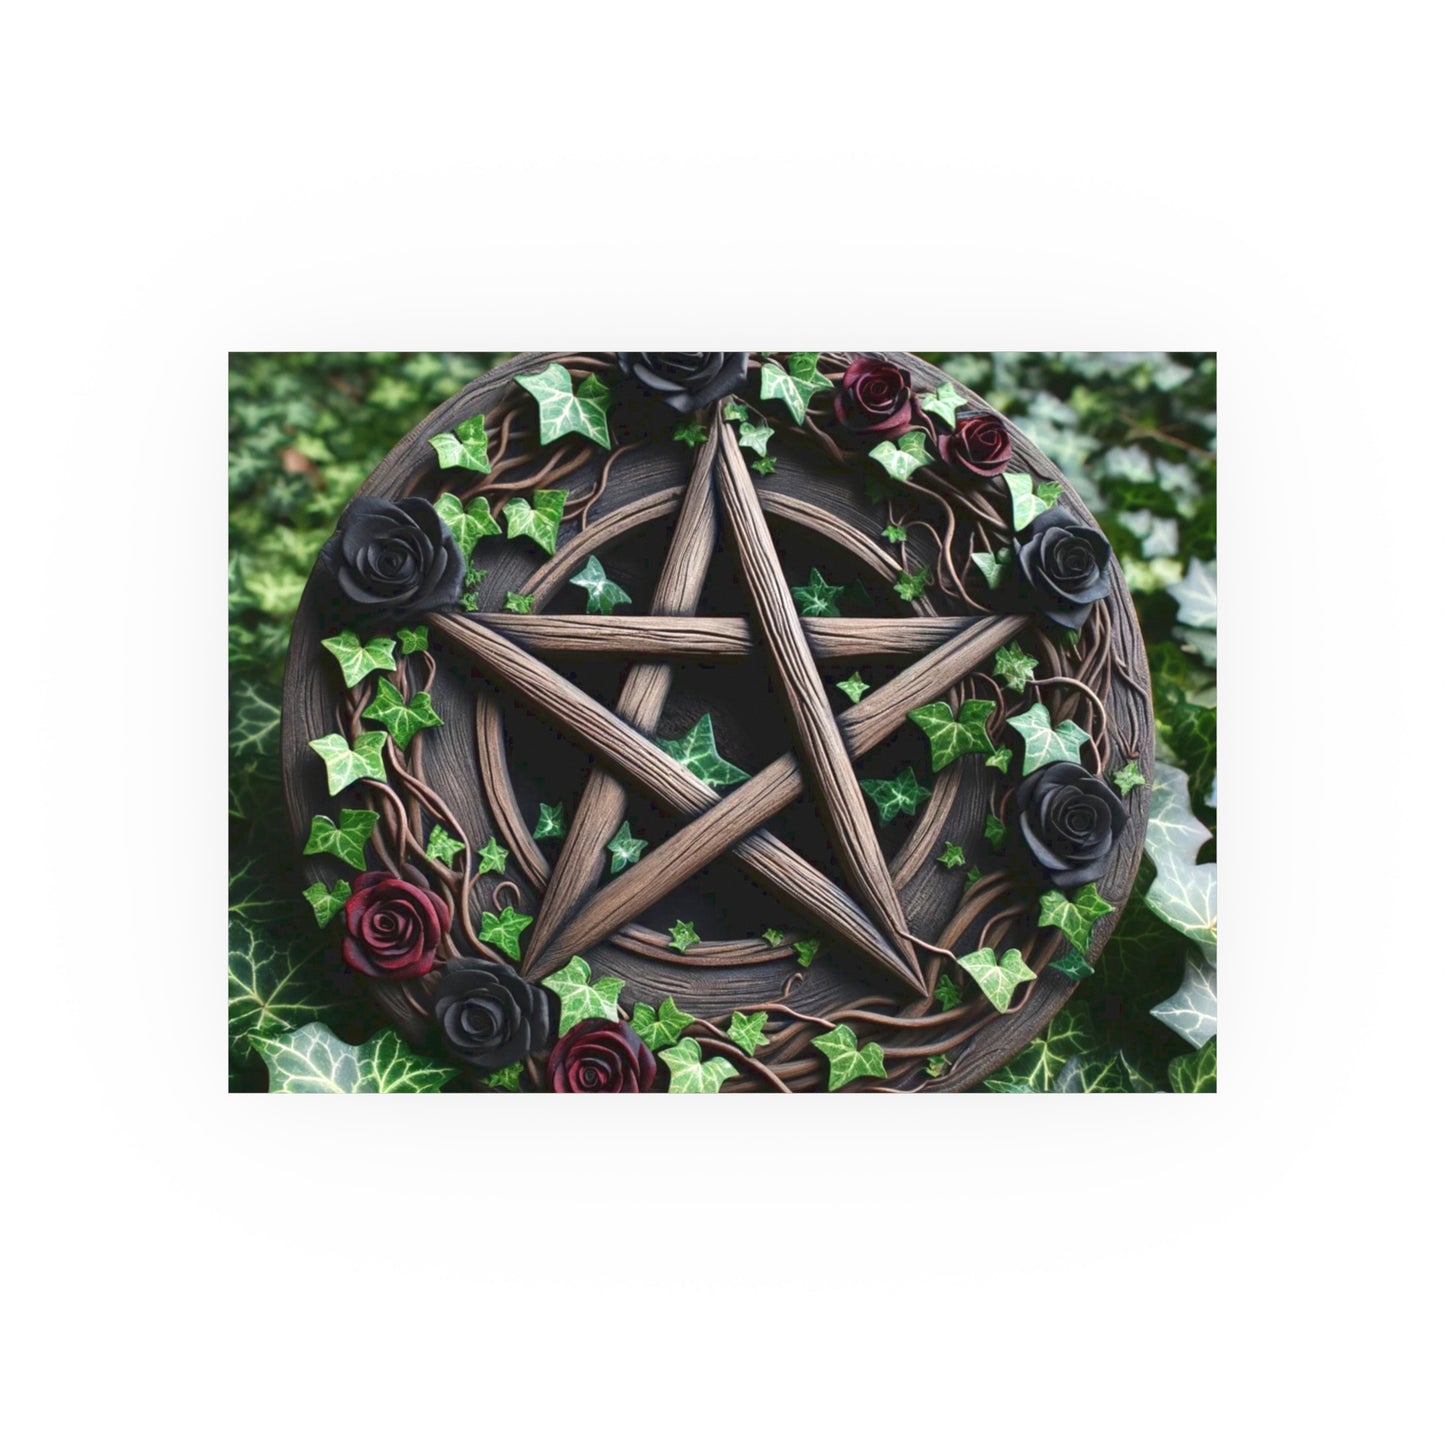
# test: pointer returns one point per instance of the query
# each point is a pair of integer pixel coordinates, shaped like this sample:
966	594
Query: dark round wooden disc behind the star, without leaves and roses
498	756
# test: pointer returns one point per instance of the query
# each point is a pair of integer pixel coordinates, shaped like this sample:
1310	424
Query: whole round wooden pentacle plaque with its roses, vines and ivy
709	722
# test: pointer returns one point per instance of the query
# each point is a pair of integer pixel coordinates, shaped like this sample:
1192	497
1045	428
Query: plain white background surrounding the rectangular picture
186	181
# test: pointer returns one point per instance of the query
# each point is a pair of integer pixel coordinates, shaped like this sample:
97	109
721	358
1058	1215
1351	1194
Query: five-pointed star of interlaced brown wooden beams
574	913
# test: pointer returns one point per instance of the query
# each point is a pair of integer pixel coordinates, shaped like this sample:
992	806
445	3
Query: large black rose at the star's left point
395	557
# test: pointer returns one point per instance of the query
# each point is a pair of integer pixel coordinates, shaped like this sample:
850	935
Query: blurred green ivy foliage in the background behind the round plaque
1135	433
